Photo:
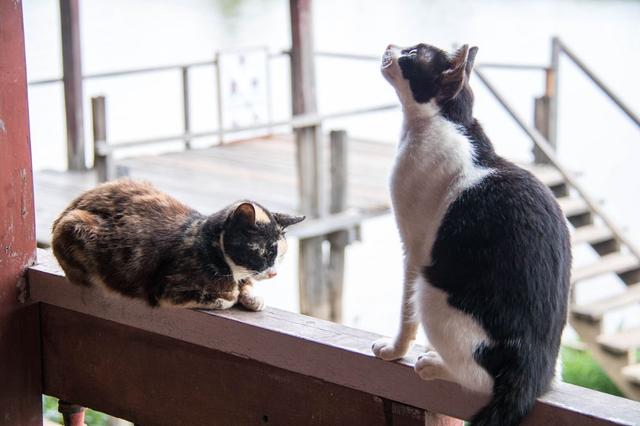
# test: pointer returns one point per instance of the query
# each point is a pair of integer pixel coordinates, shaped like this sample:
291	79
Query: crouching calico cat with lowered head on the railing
130	238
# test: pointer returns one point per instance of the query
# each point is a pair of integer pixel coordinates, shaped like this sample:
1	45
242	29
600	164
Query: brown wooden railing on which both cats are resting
178	366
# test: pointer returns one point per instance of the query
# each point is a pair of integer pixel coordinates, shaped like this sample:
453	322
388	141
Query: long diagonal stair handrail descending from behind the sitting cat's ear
543	144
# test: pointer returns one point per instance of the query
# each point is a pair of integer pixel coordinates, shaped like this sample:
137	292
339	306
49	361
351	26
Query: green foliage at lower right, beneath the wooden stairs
580	369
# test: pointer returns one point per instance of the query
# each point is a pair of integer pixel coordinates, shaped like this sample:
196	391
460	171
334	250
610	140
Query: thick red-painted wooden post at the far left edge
20	372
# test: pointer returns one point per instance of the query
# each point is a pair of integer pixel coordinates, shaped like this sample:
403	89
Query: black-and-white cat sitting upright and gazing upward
487	251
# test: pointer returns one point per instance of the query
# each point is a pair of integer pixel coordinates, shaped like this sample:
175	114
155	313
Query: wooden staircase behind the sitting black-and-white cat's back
617	353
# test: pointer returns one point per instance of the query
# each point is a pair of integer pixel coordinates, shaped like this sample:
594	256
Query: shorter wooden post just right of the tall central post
338	240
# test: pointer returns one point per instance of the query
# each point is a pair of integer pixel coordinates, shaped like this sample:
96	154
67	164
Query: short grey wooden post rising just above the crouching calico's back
102	161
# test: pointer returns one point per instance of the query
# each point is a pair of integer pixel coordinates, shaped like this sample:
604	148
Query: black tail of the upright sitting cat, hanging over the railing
515	389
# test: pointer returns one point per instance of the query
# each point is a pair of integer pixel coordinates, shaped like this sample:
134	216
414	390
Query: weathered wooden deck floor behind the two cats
261	169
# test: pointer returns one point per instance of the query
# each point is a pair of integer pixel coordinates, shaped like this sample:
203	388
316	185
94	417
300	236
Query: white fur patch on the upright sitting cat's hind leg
455	336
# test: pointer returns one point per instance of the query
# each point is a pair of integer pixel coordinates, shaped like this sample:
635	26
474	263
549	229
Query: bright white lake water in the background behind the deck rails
595	139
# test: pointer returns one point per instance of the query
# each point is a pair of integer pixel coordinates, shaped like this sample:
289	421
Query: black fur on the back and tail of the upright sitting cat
502	255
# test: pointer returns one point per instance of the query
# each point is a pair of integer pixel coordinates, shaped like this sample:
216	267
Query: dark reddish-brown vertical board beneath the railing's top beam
149	379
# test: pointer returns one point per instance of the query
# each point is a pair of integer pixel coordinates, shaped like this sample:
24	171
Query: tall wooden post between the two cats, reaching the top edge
314	294
